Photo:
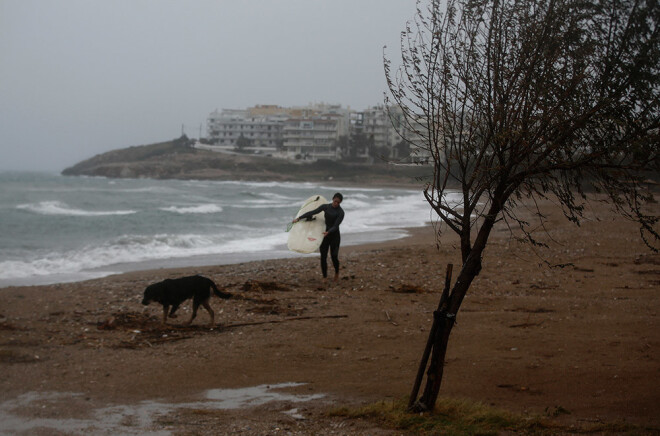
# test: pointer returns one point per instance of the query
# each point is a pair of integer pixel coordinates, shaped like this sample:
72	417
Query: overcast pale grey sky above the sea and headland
81	77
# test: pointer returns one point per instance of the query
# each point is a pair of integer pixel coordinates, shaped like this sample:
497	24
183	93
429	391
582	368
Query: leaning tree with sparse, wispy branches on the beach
522	99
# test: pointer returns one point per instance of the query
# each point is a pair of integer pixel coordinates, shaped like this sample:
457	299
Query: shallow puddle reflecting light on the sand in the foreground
37	413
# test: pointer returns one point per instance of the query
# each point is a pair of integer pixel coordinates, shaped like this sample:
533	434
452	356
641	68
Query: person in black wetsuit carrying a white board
334	215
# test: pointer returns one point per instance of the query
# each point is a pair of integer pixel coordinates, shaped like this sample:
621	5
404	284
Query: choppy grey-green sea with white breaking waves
58	229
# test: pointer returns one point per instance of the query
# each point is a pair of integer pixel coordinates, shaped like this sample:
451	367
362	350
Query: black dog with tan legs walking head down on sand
173	292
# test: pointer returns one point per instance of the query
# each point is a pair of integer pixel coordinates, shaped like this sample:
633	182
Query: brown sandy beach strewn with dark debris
578	345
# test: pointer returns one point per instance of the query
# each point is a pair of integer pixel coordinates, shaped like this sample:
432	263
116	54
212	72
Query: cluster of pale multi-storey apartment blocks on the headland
312	132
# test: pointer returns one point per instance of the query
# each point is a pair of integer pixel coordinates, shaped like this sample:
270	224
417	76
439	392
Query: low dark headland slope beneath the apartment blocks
177	160
